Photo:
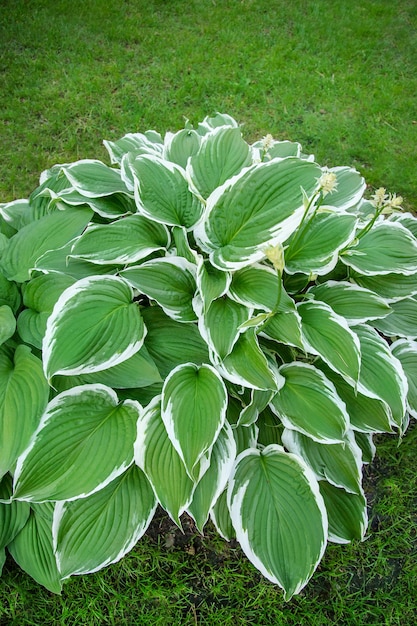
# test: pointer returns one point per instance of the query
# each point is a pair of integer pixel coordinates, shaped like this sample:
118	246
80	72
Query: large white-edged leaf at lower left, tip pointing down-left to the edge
84	441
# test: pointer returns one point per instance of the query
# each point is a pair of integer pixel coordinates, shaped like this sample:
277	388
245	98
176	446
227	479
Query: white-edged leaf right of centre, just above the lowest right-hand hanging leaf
308	403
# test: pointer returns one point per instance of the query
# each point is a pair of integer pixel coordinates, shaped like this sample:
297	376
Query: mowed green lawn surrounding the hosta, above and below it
340	77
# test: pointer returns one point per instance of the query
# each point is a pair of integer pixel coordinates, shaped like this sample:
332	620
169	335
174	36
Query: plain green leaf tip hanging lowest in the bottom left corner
32	548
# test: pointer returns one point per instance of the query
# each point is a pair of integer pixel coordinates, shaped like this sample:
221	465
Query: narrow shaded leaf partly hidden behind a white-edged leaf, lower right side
367	414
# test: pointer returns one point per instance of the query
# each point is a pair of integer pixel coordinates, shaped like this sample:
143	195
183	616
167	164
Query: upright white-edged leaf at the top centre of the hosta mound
222	154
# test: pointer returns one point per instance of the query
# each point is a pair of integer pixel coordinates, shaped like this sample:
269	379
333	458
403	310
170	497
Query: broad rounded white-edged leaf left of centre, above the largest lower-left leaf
94	325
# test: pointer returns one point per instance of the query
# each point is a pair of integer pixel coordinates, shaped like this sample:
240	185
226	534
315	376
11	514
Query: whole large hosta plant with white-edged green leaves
215	327
